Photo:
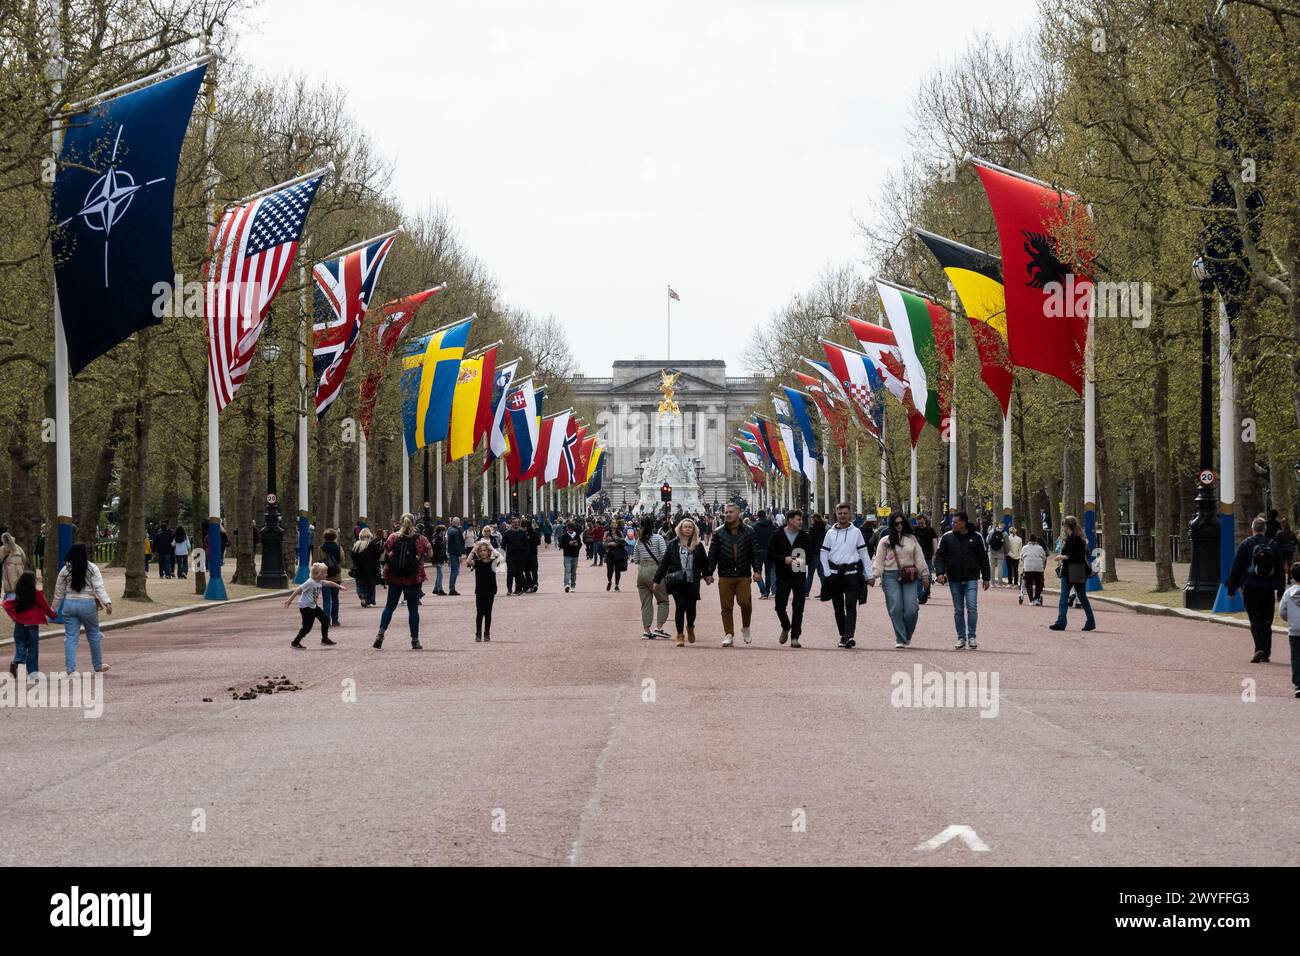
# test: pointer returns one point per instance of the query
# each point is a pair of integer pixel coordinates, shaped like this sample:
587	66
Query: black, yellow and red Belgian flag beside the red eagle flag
977	278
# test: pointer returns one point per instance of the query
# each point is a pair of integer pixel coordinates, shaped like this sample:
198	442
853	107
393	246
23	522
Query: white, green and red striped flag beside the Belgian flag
925	334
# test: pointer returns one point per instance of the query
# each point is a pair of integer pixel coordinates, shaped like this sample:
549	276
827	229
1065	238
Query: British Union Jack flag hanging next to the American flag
344	289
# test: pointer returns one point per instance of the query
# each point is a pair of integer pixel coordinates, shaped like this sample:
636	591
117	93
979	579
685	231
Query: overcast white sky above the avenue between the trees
593	152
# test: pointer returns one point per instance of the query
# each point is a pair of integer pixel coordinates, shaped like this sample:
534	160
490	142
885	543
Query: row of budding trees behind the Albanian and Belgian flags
1139	107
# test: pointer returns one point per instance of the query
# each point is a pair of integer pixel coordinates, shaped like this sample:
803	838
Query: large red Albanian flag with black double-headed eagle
1047	261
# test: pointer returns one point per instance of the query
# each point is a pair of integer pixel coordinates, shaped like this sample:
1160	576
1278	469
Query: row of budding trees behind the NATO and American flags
140	414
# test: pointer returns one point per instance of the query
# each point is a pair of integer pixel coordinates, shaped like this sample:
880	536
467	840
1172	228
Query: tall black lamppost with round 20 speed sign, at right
1203	578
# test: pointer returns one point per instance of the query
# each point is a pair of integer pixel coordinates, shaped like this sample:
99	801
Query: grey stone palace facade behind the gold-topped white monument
625	405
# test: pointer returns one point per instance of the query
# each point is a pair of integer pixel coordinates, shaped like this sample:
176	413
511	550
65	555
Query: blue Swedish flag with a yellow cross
431	365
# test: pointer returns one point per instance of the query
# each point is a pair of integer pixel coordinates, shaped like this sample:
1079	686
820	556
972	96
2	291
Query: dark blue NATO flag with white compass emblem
112	207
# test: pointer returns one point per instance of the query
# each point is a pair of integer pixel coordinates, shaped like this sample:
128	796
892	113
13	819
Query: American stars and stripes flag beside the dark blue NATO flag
253	250
